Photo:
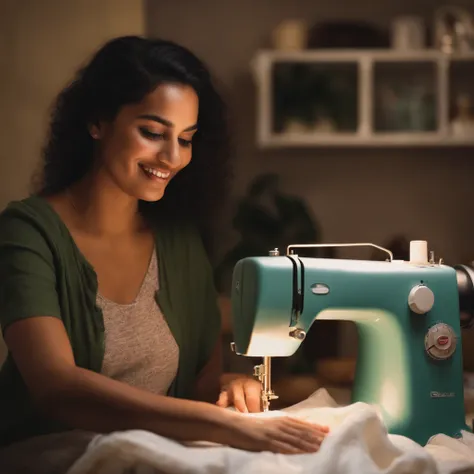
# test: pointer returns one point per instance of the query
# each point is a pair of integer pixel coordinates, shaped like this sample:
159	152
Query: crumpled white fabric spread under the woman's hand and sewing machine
358	444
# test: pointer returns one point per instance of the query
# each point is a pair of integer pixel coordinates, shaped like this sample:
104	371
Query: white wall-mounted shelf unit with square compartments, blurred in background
367	98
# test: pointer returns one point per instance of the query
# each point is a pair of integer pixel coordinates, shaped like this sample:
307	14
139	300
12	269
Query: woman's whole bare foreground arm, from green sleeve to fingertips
84	399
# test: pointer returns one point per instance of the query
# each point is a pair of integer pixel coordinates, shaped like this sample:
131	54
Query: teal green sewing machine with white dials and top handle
407	315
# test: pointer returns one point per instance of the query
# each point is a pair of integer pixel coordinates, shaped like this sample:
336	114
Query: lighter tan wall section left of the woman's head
41	44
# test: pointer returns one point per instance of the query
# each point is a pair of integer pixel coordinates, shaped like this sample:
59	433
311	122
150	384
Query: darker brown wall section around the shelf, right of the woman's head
358	195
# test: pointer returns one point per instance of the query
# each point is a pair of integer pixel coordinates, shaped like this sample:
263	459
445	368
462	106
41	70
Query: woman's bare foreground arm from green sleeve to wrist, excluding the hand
87	400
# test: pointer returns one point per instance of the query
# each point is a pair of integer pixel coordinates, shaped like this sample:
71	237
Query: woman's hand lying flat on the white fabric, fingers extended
281	434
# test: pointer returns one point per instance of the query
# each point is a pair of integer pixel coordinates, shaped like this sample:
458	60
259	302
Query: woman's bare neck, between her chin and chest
102	208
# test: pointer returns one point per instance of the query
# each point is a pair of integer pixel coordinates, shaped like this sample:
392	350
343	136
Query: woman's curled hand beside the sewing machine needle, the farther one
243	393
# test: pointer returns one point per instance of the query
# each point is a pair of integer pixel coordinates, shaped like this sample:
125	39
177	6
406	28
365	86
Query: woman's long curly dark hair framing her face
122	72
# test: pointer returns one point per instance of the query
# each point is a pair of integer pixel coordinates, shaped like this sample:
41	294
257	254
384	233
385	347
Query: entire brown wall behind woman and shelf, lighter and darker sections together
356	194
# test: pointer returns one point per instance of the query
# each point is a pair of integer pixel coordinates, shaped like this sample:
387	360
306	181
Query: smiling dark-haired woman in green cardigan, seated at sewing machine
107	300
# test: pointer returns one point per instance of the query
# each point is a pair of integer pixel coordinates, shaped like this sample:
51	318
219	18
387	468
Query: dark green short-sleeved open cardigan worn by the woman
42	272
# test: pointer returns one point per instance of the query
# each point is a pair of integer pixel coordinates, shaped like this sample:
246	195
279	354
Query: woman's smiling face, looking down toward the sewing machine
147	143
